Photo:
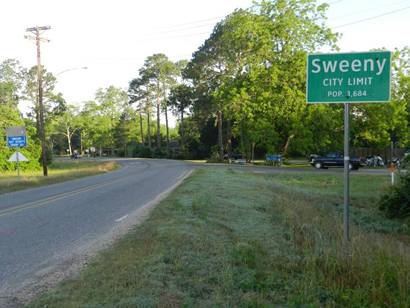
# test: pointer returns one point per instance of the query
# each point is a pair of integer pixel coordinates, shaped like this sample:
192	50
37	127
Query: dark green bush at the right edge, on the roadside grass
396	202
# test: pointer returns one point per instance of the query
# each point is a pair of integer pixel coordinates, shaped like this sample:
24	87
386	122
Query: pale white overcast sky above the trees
112	38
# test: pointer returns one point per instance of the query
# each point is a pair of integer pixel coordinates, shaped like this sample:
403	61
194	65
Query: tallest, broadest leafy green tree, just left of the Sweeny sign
252	67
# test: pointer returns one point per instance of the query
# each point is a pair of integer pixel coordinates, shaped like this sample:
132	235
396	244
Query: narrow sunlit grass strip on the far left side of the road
58	172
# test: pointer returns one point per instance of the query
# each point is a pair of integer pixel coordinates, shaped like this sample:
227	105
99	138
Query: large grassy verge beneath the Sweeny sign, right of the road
232	238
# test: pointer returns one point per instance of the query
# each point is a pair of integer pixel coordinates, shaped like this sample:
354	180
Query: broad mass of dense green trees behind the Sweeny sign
248	79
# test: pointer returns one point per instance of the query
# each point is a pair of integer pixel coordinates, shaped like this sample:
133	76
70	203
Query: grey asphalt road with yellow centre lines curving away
42	228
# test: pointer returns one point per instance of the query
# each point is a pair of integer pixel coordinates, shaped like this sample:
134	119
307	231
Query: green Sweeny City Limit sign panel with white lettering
349	77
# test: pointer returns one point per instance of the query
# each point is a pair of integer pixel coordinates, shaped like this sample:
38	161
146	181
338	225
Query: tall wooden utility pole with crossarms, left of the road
37	31
